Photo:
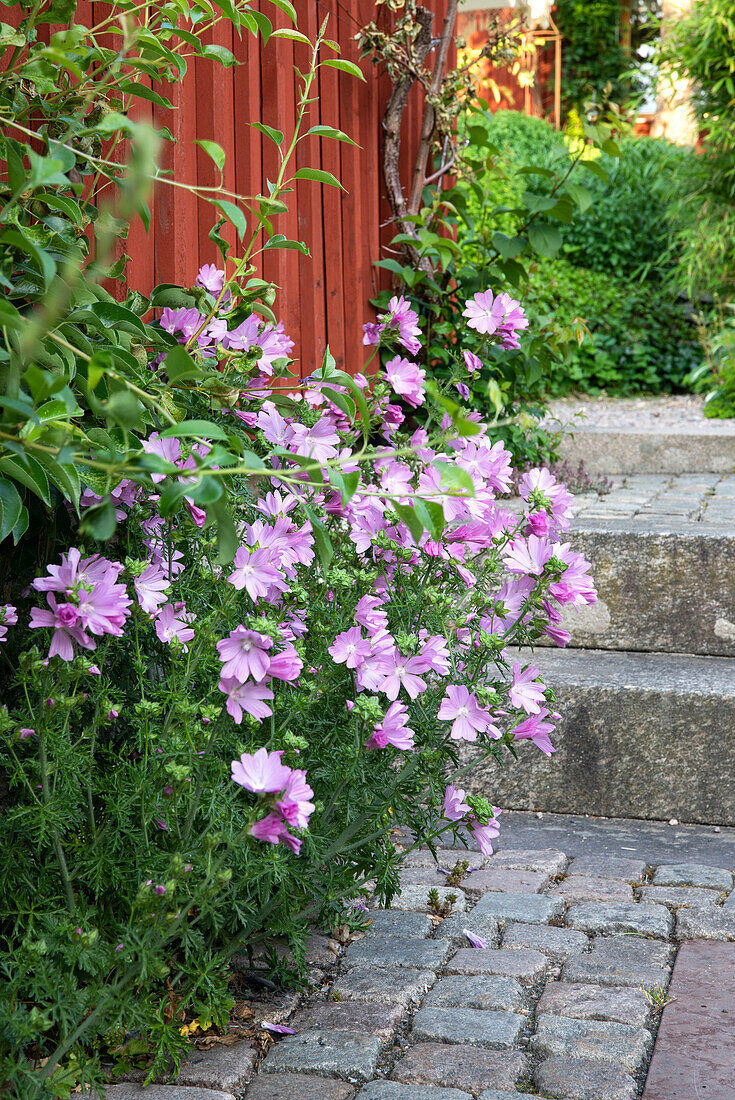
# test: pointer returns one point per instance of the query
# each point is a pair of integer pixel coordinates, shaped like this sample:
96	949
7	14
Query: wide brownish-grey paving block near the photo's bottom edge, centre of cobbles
457	1066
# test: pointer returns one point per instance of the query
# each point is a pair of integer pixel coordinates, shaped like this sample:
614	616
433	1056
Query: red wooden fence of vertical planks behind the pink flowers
324	299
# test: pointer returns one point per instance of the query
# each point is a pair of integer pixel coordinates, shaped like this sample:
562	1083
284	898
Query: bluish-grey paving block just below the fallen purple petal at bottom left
327	1054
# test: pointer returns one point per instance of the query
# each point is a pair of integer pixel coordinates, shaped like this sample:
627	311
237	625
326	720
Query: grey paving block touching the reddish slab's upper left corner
621	961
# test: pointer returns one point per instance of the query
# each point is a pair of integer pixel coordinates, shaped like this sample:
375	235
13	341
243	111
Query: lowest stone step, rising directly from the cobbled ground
642	735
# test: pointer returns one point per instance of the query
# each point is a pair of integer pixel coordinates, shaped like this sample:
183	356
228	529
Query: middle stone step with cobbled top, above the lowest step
663	554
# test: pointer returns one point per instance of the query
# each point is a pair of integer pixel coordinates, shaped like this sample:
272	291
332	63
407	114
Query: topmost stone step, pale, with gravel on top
644	437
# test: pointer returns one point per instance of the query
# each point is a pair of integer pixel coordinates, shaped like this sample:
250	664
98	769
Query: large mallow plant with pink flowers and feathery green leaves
202	758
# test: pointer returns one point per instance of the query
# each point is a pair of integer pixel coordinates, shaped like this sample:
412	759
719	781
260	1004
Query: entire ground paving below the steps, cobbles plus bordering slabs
564	1003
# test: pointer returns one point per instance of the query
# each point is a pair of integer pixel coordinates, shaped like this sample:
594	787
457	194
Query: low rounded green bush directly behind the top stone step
641	339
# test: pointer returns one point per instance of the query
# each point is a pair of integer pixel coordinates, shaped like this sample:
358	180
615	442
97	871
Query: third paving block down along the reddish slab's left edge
620	1044
